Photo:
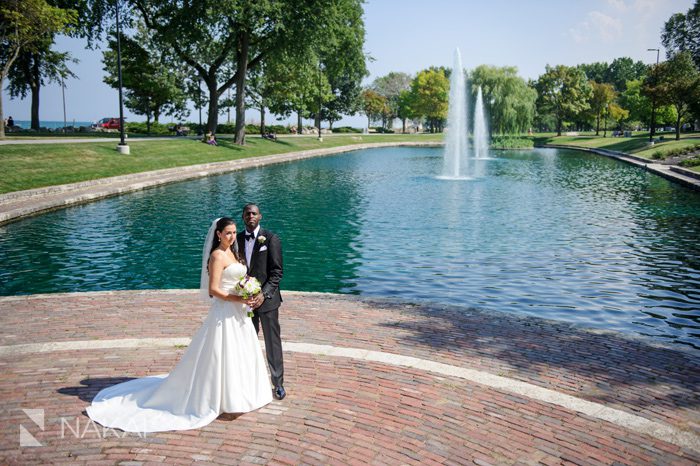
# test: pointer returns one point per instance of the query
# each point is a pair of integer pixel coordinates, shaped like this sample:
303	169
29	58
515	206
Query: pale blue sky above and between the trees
410	35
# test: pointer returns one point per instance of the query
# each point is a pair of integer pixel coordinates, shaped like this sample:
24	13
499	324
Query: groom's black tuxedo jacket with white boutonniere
265	265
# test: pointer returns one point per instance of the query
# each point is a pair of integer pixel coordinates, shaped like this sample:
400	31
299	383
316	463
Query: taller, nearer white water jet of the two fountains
456	143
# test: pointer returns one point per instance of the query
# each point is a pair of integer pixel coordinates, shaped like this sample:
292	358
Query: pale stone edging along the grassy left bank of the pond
48	198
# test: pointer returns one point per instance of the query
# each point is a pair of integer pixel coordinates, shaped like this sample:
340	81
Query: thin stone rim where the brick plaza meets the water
392	301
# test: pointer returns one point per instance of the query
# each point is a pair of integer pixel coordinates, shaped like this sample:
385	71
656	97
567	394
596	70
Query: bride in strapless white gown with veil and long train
222	370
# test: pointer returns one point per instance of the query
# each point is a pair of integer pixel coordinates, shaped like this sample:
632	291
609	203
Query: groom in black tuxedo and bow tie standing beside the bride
263	255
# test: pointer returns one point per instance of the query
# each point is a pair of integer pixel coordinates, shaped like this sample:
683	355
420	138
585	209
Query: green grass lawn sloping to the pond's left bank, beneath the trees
27	166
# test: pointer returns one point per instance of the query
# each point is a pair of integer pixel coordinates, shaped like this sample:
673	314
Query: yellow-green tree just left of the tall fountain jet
430	92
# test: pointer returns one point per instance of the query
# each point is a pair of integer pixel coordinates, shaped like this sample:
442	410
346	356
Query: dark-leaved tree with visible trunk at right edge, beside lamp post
675	82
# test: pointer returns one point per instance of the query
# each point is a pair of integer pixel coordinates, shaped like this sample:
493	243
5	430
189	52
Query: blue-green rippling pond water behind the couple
552	233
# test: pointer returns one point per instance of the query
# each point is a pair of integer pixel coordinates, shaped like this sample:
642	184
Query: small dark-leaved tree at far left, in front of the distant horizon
34	69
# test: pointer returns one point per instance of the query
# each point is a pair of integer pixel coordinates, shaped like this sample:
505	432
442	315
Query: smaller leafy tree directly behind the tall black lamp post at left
153	86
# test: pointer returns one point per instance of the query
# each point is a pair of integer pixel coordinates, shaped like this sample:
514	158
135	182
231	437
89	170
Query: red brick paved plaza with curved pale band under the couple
384	394
